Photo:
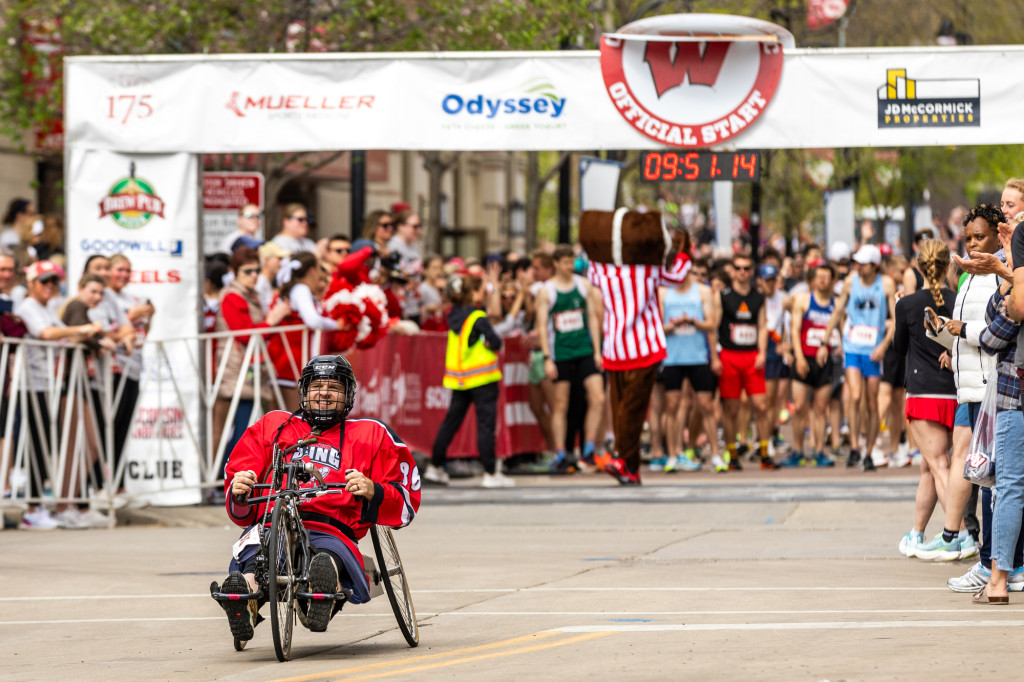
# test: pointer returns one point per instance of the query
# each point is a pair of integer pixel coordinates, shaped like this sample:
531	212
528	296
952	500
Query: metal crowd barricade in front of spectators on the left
60	432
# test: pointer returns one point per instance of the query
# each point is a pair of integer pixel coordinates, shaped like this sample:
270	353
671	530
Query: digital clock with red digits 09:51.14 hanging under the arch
701	166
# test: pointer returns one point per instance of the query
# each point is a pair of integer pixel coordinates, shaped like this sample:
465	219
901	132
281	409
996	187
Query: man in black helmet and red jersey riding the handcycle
381	484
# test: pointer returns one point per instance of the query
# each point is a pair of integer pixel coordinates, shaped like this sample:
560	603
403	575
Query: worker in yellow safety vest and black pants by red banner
473	373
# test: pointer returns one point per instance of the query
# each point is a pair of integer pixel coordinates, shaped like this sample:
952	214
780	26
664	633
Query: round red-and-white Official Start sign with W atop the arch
694	80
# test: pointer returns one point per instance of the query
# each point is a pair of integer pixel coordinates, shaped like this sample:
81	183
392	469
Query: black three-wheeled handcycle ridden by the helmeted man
289	541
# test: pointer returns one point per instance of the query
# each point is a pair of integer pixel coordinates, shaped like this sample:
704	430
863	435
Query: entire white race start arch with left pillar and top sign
136	126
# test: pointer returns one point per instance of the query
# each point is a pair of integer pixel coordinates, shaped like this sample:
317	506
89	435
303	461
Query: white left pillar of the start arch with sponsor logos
144	206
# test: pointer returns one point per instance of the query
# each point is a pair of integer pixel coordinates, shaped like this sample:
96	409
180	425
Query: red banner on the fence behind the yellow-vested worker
400	382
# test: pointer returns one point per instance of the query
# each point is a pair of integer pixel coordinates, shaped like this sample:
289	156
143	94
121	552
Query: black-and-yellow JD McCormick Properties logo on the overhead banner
909	103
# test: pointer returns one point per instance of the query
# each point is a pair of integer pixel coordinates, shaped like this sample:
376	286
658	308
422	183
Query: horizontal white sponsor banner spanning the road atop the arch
531	101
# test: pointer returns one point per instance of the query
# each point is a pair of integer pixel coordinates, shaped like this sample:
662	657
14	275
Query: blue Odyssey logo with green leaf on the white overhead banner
534	102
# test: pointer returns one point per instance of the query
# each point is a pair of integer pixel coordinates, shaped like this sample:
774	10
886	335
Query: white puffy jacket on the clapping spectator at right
972	368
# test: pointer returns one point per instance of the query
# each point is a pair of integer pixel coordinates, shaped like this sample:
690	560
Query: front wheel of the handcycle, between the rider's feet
281	581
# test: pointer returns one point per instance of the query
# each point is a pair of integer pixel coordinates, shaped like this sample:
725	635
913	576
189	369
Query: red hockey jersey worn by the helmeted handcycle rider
369	446
